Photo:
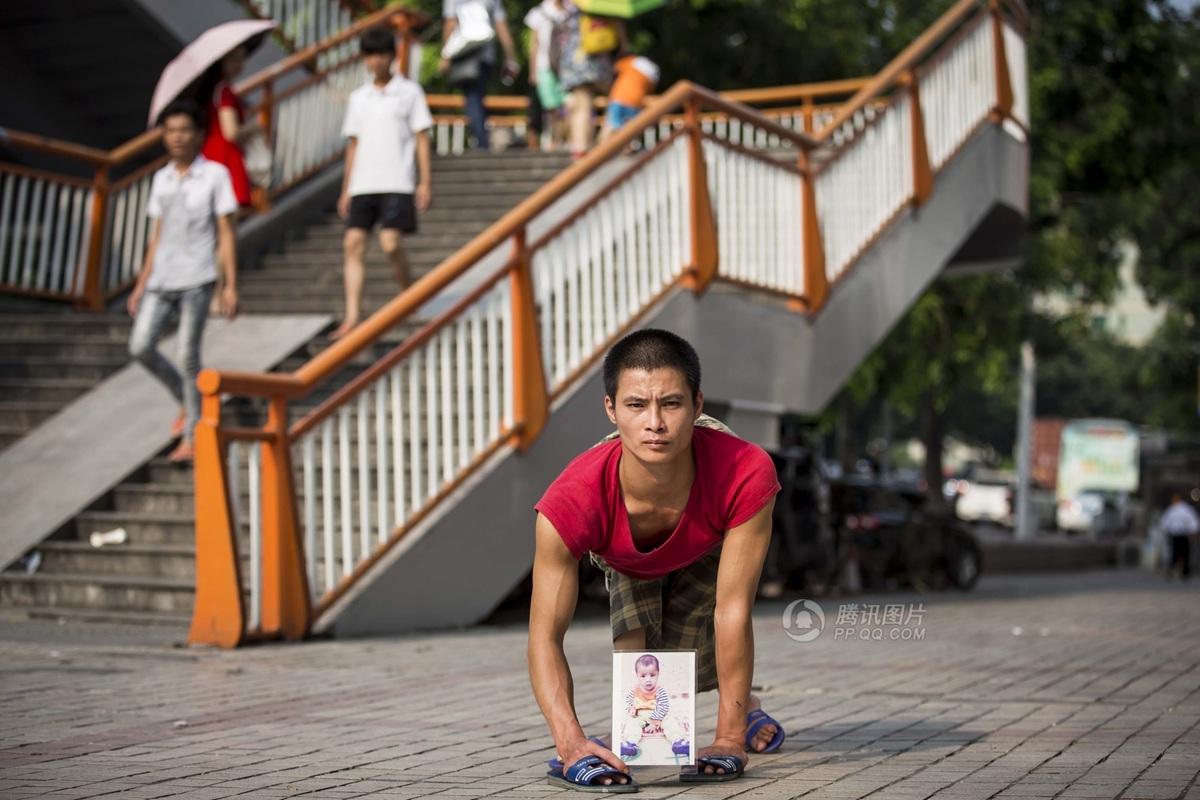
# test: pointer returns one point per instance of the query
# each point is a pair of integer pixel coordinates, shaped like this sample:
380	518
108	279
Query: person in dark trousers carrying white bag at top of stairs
469	53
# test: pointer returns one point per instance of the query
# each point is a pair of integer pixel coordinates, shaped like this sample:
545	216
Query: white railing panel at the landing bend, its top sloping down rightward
759	222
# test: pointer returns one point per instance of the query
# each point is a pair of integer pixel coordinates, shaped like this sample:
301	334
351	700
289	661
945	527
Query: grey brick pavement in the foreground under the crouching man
1054	687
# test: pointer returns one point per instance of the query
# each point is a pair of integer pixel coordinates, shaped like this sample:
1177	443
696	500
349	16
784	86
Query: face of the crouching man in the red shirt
655	414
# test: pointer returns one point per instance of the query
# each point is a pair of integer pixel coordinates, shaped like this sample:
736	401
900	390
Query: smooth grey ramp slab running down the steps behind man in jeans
62	467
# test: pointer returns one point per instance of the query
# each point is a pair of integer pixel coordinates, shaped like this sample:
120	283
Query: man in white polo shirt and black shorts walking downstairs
387	125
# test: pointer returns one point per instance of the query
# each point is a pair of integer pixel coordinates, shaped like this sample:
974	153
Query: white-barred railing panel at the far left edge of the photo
45	230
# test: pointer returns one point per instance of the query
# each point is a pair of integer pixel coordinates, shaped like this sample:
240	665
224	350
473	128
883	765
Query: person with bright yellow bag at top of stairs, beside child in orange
585	46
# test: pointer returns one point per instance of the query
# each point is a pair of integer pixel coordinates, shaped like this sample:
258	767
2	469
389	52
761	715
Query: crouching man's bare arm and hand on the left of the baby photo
556	588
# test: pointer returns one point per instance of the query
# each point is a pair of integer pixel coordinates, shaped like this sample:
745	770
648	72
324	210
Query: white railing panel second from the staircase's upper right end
866	183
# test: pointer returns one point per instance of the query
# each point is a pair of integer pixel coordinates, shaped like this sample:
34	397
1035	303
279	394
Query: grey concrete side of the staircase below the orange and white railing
454	570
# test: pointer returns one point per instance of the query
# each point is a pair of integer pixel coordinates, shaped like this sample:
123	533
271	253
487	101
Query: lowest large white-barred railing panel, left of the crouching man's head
388	453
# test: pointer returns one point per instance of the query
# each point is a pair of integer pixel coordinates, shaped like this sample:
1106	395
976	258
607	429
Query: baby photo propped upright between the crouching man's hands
655	707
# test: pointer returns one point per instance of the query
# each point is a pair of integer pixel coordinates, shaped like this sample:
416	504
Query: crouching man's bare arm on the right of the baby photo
737	582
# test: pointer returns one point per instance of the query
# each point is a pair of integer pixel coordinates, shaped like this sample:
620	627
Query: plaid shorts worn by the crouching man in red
675	610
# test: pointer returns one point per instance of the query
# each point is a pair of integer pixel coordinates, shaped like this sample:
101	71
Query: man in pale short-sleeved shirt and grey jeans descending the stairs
193	204
